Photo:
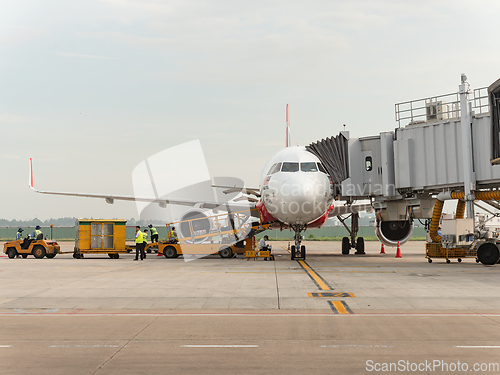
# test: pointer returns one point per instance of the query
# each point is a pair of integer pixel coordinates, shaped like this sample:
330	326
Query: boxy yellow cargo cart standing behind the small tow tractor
100	236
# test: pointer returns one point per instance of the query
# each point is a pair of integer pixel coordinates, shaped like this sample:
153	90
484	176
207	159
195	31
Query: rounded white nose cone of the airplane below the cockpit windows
301	200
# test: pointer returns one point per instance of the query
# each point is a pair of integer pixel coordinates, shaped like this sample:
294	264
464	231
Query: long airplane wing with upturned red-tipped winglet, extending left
163	202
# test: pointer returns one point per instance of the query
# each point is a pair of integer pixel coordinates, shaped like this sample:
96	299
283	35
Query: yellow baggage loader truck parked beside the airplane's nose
221	234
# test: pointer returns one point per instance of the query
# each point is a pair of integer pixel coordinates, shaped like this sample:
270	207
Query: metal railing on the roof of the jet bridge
440	108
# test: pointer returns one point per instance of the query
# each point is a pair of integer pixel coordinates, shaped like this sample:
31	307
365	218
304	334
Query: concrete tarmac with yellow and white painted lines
328	314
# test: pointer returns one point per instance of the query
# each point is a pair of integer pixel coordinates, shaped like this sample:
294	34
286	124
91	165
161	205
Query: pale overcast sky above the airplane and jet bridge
90	89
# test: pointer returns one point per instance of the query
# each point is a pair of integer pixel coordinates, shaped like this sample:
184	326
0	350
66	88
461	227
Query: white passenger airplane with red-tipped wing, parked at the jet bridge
296	192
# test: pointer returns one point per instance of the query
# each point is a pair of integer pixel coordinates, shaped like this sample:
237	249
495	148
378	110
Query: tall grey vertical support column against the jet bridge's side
467	154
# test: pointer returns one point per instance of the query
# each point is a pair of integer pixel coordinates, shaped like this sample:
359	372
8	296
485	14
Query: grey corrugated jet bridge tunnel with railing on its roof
427	152
